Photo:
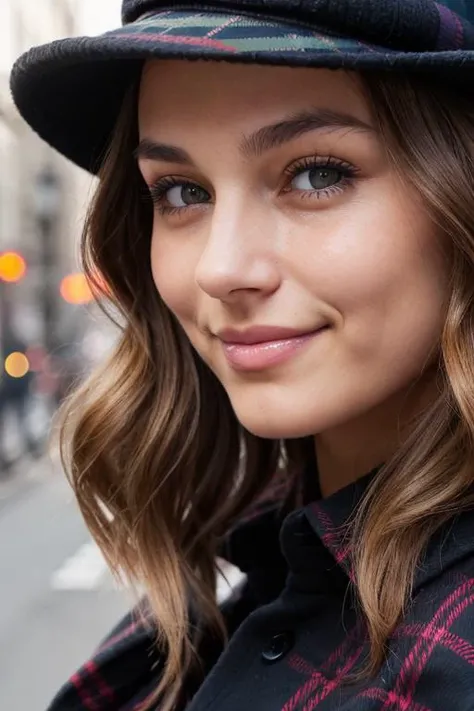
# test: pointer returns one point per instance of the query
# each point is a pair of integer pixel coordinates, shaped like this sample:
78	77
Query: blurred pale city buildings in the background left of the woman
43	200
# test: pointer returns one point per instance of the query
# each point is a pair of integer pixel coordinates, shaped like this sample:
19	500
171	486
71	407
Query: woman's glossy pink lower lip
265	354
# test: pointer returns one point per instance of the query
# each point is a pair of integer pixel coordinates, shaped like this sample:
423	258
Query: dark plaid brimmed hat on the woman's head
70	91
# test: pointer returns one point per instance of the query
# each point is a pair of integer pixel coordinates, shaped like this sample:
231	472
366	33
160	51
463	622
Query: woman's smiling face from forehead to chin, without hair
304	272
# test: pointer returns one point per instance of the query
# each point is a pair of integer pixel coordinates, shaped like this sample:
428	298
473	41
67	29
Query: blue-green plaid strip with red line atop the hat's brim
233	33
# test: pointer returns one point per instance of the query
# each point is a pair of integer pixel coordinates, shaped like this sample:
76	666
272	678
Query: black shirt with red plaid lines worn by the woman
295	633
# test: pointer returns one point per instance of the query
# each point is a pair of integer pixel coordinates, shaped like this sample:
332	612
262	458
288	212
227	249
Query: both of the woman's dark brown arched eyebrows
265	138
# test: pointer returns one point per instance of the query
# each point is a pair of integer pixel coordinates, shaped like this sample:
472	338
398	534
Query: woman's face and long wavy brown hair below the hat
328	213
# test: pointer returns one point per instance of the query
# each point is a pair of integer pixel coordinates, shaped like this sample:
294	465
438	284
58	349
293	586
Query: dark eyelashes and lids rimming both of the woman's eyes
158	189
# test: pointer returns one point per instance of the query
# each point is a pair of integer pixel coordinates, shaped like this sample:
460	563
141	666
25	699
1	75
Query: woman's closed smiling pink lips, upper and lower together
261	347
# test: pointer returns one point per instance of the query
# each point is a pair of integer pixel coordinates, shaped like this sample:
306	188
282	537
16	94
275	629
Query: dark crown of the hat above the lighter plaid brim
408	25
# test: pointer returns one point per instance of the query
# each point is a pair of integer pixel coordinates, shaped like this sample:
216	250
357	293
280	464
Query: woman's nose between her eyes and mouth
239	254
